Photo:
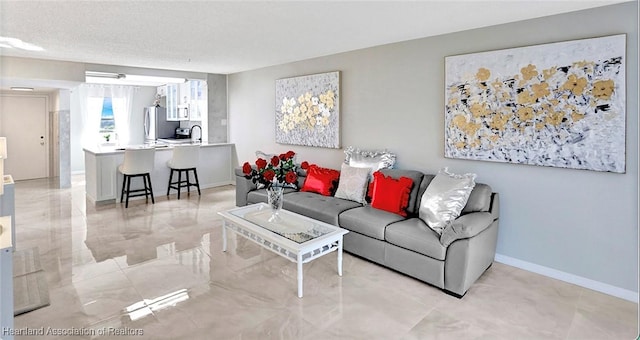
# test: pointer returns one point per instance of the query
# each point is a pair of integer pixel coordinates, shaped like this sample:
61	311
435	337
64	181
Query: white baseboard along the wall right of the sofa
570	278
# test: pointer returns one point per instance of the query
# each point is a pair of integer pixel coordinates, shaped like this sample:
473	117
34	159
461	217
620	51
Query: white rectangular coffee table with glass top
298	238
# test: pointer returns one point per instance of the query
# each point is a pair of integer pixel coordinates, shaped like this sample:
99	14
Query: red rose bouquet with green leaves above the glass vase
278	171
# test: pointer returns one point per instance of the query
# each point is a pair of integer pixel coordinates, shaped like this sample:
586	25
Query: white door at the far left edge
23	120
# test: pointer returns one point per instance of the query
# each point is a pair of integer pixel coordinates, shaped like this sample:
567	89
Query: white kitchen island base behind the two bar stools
104	181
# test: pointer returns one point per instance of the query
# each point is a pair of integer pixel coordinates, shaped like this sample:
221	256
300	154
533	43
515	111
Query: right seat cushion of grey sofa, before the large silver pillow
413	234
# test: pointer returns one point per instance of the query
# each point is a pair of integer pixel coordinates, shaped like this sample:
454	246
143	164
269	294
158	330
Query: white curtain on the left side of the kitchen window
92	97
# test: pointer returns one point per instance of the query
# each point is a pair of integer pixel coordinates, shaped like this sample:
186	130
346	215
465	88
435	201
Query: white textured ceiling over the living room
233	36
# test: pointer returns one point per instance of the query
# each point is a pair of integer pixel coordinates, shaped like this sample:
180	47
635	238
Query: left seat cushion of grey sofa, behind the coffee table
322	208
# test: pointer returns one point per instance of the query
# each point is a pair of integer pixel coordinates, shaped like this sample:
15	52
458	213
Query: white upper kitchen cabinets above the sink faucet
185	101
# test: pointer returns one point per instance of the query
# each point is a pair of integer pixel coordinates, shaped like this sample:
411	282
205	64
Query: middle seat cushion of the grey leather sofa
368	221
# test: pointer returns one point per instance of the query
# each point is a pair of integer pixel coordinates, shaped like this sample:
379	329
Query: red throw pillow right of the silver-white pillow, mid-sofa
391	194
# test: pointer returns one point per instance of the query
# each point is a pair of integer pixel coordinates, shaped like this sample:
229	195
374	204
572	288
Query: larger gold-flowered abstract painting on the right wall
559	105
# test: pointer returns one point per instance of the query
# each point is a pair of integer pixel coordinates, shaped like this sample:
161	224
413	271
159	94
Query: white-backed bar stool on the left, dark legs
137	163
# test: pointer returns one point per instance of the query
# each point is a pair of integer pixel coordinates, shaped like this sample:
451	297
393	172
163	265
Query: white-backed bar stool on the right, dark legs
183	160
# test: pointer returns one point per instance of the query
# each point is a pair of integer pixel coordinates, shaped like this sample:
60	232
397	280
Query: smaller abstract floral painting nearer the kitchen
308	110
